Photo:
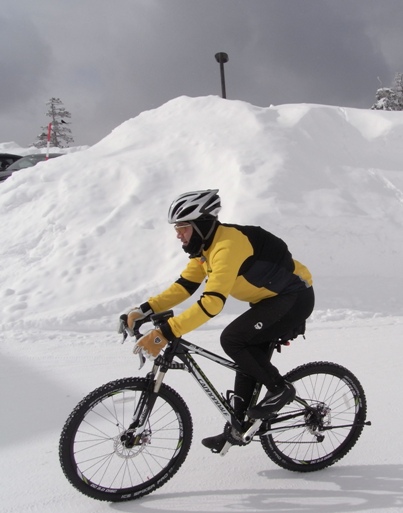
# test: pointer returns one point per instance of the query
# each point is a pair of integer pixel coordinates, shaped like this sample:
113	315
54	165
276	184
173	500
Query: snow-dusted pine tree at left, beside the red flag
60	135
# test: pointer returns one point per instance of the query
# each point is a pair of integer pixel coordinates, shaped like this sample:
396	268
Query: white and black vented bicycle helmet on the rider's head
194	205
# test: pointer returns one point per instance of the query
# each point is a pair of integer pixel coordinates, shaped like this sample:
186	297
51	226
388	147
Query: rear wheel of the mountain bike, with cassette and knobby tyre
313	437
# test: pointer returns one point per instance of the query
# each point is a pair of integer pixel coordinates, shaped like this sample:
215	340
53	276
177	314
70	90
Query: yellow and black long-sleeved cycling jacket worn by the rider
246	262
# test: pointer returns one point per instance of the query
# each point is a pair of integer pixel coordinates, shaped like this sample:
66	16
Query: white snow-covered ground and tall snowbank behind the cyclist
85	236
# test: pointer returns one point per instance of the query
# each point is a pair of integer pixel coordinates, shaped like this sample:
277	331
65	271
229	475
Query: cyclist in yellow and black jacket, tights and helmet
250	264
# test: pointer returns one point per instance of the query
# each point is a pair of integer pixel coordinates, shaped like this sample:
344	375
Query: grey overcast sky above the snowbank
109	60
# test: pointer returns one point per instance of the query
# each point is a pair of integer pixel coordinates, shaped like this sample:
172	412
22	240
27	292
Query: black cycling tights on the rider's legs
246	339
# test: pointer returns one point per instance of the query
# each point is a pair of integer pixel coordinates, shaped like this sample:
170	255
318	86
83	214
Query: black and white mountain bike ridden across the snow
130	436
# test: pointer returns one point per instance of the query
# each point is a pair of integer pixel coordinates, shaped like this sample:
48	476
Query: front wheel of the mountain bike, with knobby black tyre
92	451
